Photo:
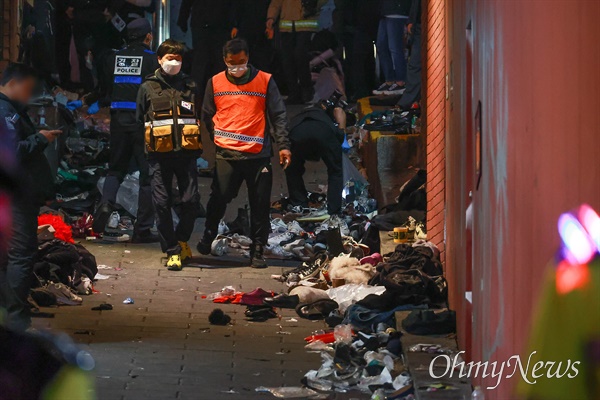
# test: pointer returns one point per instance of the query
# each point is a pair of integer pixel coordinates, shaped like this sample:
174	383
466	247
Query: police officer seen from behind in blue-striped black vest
125	72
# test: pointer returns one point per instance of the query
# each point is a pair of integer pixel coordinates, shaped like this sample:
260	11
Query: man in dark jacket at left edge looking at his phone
16	86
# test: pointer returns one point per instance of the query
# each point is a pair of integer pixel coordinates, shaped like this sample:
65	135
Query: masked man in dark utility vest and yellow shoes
167	105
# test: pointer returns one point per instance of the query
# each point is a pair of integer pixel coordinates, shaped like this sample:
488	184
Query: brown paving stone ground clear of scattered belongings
162	346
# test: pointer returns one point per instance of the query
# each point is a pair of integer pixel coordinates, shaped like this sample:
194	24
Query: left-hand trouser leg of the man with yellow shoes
161	182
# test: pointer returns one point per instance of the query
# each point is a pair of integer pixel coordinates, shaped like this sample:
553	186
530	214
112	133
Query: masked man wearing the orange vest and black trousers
243	112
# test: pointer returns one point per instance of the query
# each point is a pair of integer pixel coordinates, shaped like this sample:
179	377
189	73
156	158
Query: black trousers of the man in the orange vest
228	178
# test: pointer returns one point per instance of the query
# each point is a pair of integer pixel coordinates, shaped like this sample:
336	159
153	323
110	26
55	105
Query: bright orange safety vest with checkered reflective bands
240	120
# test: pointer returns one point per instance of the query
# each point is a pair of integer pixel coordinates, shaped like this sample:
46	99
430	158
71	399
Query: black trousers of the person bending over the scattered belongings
313	141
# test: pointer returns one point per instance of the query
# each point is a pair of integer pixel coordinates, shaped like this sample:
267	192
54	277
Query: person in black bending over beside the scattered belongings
315	136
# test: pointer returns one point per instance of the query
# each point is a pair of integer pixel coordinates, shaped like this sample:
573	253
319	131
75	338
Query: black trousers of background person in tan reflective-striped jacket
295	60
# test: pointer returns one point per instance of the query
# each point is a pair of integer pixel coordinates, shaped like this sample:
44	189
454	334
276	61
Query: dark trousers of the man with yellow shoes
162	173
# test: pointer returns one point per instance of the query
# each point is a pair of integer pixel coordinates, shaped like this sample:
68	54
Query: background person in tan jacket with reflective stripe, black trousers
298	20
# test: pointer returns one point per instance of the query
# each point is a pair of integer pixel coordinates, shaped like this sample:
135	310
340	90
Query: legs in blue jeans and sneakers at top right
390	45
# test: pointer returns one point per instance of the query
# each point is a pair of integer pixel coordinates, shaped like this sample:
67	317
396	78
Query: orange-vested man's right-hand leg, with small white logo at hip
258	175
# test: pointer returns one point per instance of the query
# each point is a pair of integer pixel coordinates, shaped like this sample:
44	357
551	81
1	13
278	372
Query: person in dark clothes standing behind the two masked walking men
211	22
